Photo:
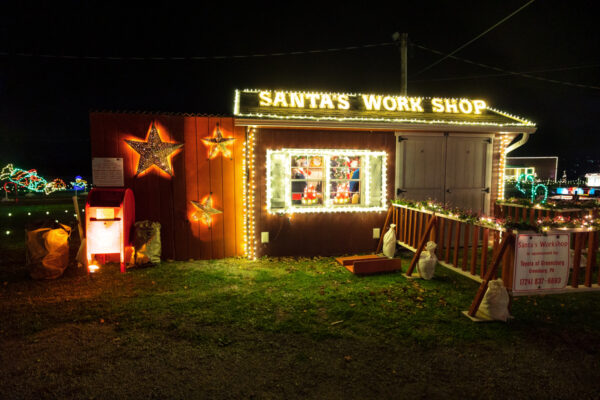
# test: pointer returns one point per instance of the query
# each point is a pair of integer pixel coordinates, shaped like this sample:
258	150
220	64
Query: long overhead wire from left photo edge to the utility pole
196	58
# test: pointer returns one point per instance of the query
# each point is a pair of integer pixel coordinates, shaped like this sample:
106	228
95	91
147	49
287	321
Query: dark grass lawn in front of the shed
282	328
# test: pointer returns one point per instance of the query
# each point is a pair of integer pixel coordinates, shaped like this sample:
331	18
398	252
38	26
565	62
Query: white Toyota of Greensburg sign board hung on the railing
541	262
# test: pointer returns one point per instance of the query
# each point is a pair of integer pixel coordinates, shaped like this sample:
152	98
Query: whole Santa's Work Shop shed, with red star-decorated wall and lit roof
304	173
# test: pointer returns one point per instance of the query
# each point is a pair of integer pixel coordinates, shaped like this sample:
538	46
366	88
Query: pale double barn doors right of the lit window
453	169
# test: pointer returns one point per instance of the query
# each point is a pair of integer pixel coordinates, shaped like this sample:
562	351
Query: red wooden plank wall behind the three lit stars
166	199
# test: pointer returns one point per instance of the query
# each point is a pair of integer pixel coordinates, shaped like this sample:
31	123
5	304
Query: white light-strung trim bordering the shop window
327	207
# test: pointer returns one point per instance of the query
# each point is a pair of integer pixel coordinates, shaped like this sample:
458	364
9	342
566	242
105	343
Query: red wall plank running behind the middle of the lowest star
204	189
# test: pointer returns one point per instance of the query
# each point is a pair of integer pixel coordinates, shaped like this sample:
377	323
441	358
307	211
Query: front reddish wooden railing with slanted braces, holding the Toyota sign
481	252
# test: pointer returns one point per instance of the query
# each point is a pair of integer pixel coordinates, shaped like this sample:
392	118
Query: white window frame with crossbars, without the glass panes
365	179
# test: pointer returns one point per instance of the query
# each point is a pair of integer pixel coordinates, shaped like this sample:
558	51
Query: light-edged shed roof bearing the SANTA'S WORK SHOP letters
377	108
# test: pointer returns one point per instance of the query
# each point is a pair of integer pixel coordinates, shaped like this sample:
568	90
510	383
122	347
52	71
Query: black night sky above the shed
46	95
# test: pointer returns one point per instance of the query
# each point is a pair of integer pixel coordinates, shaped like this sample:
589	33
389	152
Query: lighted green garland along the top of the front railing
540	225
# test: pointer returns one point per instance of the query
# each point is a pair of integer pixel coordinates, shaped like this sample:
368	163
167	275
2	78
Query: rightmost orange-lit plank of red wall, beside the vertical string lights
228	183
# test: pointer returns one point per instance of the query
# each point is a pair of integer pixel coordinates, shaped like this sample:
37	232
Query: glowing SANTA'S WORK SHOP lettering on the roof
370	102
